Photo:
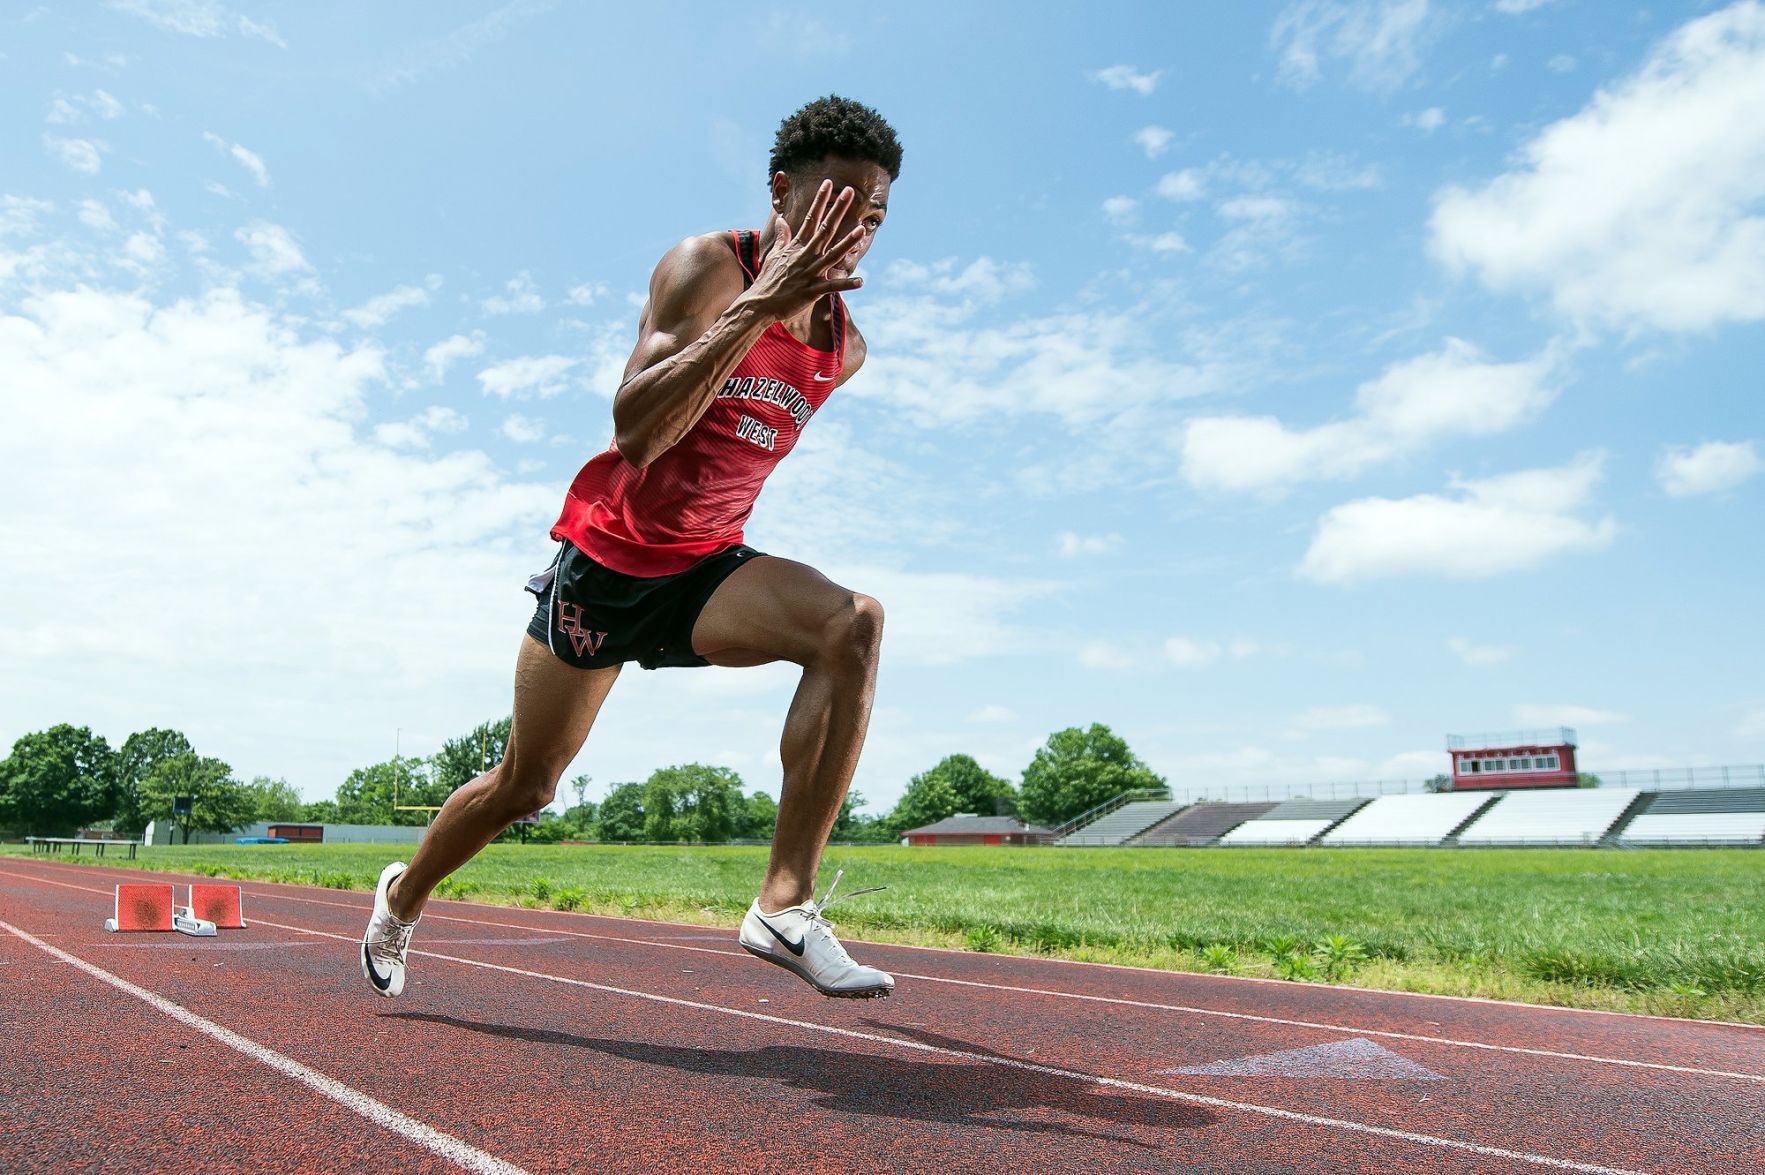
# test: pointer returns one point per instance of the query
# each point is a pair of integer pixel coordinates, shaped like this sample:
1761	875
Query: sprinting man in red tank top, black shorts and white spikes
744	338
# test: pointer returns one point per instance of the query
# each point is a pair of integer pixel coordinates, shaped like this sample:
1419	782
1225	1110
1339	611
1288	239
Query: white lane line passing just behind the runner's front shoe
1185	1010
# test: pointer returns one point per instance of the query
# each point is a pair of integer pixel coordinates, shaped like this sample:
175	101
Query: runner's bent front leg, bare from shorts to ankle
770	611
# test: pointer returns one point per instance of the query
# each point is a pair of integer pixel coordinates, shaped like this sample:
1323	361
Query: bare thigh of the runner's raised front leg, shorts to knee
769	611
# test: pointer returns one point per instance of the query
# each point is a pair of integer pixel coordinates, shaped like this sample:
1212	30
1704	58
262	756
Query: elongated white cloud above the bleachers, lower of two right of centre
1491	528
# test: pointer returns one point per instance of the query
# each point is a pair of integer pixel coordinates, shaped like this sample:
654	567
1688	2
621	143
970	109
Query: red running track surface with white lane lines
543	1042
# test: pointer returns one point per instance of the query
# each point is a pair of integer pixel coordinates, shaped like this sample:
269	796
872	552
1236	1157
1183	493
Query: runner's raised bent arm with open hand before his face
700	324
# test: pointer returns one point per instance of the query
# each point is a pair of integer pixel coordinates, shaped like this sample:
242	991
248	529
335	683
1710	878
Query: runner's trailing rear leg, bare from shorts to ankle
555	708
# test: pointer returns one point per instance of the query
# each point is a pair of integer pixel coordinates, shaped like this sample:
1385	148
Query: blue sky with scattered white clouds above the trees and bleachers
1282	385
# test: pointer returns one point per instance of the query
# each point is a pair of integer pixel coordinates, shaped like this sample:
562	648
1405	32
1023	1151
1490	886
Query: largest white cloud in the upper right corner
1639	211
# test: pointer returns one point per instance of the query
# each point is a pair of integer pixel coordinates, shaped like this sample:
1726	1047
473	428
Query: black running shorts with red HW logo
592	617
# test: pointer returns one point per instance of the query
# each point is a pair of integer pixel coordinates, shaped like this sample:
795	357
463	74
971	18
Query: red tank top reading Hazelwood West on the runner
695	500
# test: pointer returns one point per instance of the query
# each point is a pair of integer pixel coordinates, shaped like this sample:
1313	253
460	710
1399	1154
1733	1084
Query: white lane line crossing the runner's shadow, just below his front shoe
1009	1063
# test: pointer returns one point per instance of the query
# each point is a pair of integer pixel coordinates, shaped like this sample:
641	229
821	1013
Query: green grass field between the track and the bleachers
1665	932
